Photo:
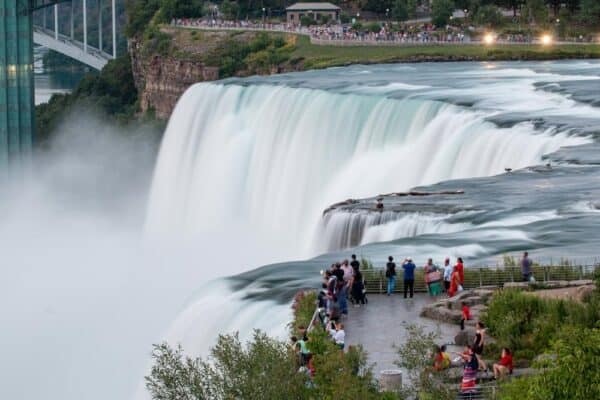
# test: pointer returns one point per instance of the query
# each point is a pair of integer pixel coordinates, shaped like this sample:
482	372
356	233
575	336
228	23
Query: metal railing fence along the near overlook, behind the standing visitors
376	282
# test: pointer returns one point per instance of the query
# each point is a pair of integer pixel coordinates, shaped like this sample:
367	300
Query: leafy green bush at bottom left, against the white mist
263	369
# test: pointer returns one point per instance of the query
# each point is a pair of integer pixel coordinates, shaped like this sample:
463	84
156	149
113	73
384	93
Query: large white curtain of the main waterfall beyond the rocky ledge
263	161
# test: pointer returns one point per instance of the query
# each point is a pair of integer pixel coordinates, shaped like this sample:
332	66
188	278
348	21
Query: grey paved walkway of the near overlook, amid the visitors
380	324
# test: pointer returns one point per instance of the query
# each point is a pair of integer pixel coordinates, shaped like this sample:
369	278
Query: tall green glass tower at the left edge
17	105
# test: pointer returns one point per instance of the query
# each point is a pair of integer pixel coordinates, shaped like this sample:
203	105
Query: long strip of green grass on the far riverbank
316	56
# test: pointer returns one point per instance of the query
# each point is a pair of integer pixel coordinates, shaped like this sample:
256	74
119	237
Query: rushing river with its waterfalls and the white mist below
231	223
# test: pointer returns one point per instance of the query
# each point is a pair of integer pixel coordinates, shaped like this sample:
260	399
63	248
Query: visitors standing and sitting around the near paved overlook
344	284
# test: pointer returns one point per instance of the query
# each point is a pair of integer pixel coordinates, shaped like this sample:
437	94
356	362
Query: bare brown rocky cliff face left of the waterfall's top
161	80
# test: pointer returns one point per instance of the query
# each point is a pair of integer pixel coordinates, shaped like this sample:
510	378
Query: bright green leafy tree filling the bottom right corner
570	370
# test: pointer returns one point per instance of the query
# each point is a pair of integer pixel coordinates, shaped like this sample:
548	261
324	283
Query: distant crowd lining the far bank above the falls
424	33
